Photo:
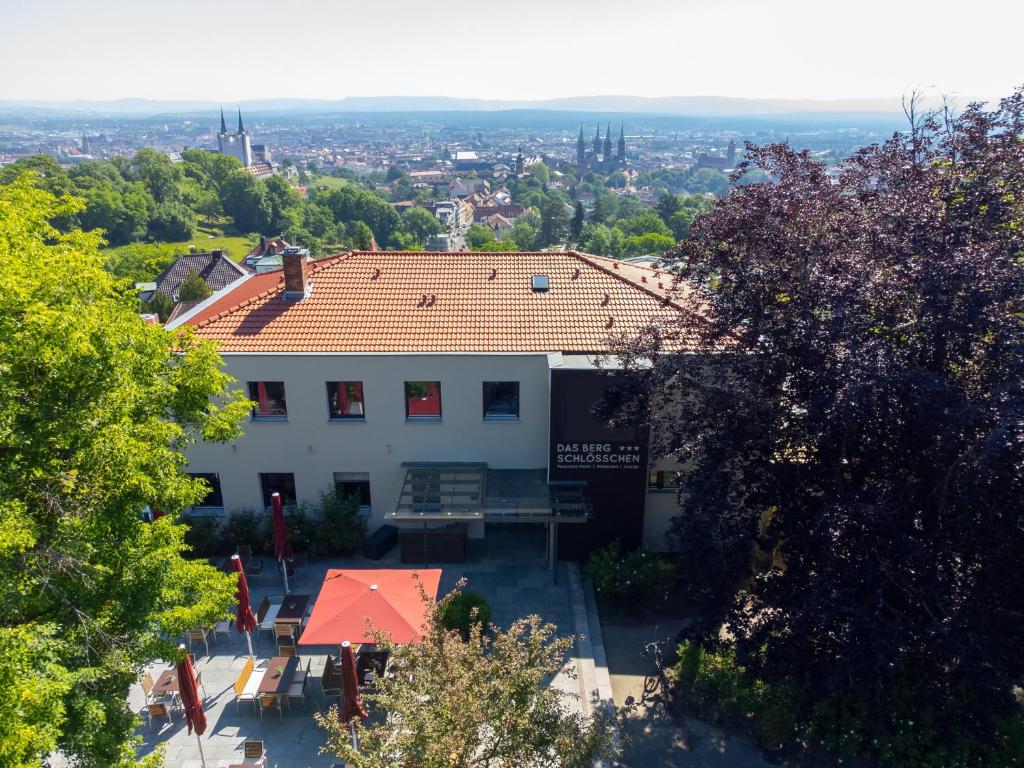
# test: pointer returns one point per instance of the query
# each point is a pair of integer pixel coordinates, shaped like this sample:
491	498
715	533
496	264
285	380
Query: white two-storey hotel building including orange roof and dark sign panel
366	422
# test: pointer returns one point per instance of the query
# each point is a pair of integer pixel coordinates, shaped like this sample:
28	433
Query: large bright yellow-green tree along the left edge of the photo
95	412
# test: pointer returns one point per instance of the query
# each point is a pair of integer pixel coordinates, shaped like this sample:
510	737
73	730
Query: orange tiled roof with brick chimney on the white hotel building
441	303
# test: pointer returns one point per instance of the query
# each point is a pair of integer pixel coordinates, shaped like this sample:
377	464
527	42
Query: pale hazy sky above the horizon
226	52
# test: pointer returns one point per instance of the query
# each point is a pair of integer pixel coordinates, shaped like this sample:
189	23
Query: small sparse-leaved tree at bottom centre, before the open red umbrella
502	678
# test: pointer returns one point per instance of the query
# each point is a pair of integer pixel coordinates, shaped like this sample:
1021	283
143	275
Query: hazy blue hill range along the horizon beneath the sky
684	106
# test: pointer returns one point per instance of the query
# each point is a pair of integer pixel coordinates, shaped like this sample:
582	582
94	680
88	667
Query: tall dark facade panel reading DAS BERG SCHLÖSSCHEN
613	462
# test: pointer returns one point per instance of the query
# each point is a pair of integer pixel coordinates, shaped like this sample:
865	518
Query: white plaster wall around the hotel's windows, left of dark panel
314	448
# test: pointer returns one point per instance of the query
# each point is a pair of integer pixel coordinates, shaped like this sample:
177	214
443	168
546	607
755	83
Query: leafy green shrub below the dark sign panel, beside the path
635	577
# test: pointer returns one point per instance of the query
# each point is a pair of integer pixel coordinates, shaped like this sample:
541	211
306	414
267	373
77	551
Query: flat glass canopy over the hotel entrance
464	493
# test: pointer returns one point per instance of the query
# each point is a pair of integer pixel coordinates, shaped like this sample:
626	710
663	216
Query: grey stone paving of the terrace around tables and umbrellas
509	570
